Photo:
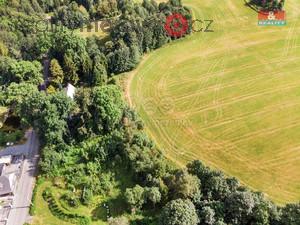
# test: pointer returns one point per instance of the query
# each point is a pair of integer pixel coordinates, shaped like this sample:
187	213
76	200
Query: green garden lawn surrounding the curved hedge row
96	211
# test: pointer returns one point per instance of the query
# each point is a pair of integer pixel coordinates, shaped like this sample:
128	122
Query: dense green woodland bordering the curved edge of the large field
84	140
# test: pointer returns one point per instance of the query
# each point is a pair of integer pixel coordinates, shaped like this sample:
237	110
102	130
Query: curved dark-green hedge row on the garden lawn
58	212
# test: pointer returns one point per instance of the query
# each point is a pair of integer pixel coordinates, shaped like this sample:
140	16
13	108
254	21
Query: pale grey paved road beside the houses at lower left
19	213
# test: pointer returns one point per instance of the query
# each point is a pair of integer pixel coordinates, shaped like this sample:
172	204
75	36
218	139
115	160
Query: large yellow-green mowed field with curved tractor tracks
230	98
